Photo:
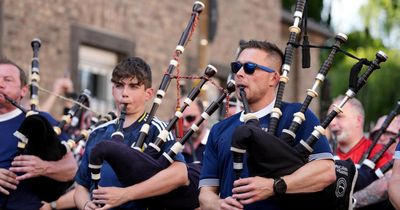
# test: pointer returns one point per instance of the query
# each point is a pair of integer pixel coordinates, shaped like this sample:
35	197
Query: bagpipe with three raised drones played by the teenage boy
127	162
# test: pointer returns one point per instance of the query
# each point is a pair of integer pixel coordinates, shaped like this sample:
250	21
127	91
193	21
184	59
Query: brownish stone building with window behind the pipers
85	39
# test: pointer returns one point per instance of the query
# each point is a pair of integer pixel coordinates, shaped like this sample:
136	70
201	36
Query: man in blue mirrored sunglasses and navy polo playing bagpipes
257	71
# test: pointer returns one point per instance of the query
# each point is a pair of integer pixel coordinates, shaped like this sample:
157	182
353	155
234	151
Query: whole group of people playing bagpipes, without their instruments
257	71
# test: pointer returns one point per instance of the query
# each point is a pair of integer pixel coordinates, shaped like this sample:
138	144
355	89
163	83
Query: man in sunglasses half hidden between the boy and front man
194	148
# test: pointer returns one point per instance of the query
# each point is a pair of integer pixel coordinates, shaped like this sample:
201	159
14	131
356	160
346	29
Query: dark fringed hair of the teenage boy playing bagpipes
133	67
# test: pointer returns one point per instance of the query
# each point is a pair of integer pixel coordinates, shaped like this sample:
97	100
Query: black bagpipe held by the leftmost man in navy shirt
37	136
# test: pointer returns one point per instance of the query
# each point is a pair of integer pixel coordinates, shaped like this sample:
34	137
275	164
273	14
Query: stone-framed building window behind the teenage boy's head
93	55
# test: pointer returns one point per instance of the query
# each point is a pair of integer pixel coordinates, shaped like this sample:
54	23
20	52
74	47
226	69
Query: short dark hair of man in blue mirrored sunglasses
266	46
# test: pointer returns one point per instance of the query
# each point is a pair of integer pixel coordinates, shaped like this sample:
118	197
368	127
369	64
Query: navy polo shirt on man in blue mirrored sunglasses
217	169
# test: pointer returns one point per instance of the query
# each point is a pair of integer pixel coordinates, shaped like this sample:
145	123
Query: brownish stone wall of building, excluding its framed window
151	27
